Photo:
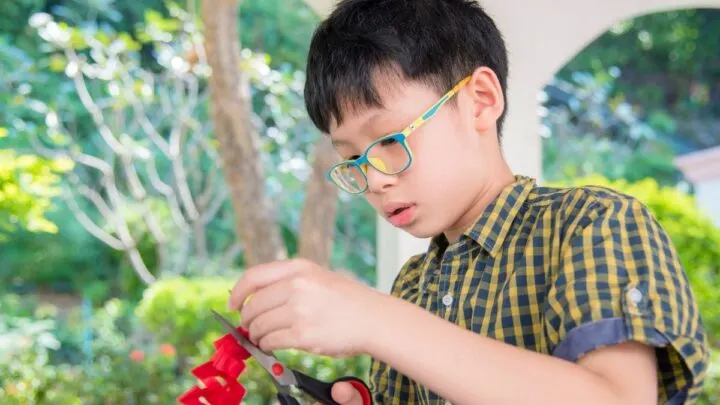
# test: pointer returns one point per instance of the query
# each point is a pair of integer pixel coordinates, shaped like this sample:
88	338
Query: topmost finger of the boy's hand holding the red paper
260	276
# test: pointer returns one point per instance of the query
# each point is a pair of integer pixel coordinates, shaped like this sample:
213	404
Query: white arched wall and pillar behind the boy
541	36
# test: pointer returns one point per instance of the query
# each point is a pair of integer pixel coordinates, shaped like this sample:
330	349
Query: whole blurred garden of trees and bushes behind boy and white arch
130	202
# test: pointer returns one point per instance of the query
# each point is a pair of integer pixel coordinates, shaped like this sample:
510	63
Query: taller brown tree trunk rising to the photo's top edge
230	108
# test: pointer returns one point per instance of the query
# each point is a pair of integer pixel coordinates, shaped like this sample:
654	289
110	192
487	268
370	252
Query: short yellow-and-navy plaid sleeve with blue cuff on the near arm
619	279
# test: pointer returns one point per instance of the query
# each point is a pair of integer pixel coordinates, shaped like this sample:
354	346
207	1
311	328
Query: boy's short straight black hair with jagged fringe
435	42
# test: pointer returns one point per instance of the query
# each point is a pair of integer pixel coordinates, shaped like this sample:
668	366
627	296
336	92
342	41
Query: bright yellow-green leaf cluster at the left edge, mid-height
27	185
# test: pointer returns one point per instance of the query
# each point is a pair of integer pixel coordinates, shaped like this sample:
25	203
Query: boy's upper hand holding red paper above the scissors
298	304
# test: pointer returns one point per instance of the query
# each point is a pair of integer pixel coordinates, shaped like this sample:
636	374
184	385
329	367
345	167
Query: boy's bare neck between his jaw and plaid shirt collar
489	193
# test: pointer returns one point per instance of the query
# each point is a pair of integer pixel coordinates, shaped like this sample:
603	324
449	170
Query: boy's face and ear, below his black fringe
452	154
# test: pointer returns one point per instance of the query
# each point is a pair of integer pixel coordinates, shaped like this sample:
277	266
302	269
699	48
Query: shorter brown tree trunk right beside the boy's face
317	224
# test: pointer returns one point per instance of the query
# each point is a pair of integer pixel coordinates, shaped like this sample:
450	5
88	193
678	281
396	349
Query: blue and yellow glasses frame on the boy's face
363	161
